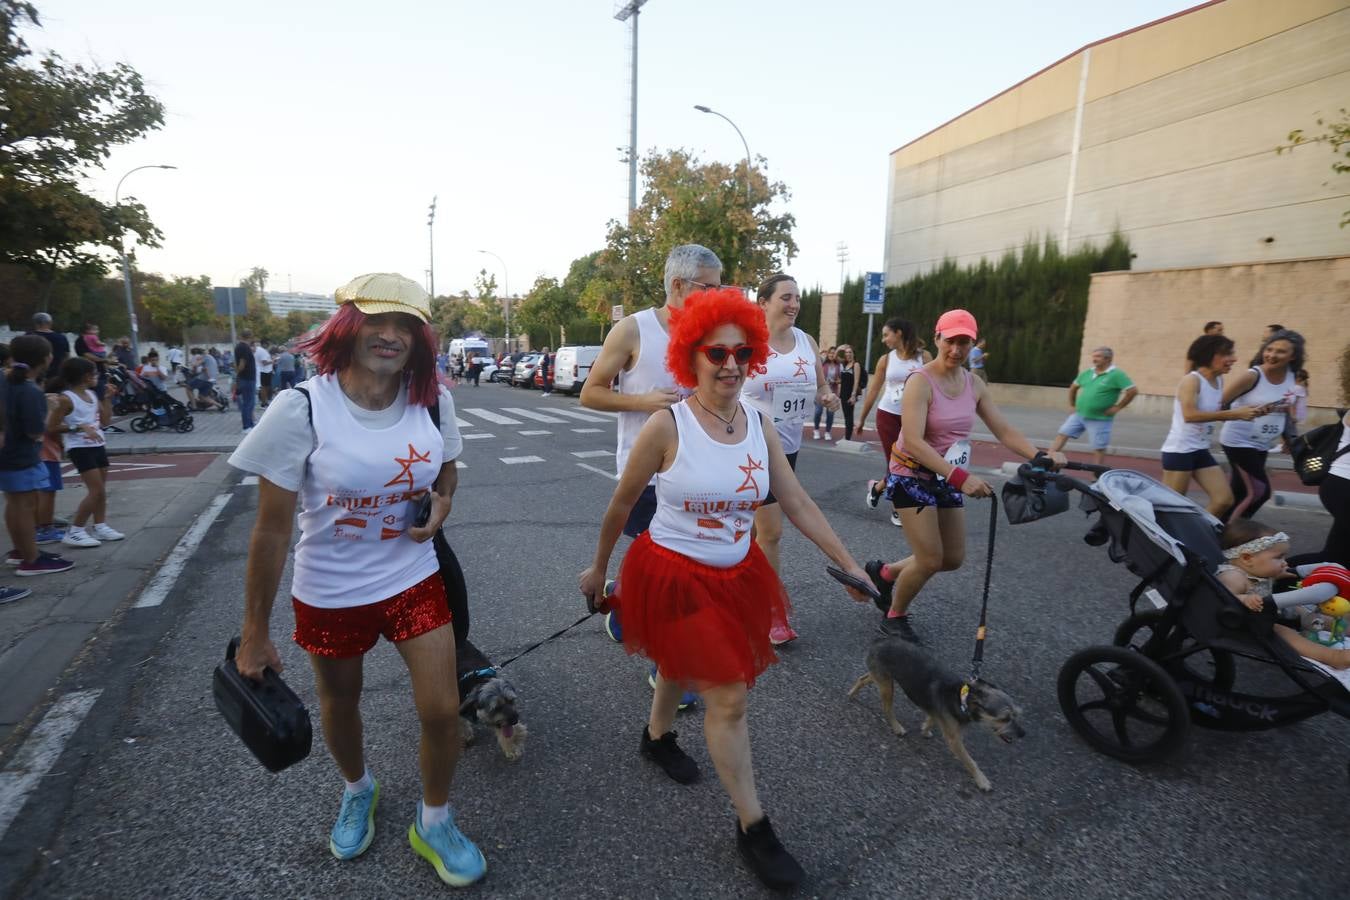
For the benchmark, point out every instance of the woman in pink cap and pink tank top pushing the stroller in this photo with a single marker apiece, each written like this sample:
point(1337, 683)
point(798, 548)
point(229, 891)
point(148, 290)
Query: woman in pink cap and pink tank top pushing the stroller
point(928, 468)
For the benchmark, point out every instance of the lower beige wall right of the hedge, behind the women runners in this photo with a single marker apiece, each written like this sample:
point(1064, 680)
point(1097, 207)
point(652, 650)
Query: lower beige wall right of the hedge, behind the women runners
point(1151, 318)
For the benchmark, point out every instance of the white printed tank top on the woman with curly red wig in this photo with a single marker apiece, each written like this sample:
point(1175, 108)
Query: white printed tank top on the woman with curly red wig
point(707, 501)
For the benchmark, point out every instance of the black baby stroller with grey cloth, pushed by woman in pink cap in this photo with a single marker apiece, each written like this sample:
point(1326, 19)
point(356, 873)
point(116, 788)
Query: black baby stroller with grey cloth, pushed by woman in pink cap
point(1172, 663)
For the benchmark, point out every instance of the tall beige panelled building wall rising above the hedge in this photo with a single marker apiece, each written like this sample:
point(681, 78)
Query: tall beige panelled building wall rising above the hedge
point(1177, 148)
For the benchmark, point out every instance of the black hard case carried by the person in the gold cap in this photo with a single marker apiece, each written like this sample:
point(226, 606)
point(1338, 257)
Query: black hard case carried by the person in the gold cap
point(268, 717)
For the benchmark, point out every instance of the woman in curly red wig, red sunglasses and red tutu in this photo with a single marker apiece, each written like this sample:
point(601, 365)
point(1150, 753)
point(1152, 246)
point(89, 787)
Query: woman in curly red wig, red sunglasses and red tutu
point(699, 597)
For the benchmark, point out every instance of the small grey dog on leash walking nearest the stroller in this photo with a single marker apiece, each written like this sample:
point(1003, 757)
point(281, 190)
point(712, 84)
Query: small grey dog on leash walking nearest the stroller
point(950, 701)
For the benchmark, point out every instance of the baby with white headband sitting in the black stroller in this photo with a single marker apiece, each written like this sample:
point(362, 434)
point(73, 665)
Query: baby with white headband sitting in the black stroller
point(1255, 562)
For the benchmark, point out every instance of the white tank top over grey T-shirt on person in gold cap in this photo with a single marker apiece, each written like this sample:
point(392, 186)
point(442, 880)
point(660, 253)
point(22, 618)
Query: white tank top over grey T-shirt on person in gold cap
point(357, 501)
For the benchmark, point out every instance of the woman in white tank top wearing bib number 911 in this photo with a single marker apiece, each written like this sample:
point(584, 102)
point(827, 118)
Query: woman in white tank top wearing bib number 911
point(786, 388)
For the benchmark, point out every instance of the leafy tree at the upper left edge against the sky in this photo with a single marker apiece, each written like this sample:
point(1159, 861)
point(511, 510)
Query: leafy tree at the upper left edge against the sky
point(59, 122)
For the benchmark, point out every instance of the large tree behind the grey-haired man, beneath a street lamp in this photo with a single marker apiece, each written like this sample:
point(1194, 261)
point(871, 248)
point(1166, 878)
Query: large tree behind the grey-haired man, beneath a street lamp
point(728, 210)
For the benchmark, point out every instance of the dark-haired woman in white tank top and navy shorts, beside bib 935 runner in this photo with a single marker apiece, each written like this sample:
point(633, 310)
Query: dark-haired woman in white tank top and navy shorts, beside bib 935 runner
point(1198, 407)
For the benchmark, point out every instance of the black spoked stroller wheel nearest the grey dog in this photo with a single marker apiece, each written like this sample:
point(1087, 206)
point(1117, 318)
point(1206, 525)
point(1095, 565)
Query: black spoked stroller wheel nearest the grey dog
point(1124, 705)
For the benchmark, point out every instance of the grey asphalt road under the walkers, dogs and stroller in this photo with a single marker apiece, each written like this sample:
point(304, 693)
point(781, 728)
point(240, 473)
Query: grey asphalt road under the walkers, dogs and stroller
point(155, 797)
